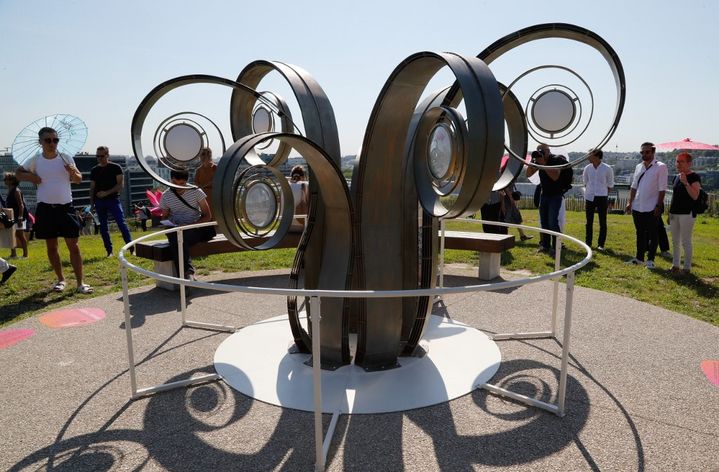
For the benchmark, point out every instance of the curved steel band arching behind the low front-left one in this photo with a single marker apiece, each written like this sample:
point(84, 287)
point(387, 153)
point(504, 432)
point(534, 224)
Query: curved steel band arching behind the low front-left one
point(320, 126)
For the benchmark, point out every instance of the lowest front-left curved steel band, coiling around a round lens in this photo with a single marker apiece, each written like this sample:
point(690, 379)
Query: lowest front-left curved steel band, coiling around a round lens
point(334, 263)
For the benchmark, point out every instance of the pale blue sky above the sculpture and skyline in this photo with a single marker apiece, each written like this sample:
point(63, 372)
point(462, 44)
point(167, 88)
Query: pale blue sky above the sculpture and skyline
point(98, 59)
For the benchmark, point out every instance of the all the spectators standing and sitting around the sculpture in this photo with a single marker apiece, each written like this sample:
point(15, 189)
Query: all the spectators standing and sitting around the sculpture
point(55, 217)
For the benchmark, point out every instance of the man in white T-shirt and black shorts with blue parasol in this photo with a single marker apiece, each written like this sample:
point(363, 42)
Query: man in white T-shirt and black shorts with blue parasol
point(55, 217)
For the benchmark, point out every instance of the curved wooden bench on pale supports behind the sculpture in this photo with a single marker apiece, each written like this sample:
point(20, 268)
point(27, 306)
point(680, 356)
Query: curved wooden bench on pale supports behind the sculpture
point(489, 245)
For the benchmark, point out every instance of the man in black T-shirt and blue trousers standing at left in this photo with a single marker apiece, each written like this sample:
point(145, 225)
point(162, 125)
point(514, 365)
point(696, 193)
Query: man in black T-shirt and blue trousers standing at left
point(106, 182)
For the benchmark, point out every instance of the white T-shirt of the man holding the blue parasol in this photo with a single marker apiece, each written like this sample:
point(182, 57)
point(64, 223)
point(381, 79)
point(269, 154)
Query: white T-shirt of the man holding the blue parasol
point(55, 185)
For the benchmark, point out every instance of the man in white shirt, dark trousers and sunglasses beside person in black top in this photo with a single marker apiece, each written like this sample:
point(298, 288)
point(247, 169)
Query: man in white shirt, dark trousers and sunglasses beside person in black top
point(646, 204)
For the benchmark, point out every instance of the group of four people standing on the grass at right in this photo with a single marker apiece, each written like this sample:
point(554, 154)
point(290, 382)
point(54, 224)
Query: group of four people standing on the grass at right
point(646, 203)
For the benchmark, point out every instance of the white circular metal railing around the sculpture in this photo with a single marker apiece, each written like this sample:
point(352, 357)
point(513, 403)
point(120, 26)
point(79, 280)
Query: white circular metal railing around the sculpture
point(315, 296)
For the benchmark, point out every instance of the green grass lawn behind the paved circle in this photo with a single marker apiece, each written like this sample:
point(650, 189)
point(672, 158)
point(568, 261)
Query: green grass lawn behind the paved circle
point(28, 291)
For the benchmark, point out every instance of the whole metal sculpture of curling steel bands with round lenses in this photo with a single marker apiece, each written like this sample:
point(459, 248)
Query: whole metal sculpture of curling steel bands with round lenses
point(422, 160)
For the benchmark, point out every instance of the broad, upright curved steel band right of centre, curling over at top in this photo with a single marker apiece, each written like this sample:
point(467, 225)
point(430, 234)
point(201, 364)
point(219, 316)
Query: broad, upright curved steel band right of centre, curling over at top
point(387, 223)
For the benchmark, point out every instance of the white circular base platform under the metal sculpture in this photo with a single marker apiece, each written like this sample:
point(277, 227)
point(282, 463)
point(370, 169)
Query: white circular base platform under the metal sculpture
point(256, 362)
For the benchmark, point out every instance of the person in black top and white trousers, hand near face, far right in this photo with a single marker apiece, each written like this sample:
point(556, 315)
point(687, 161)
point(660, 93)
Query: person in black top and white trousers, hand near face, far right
point(686, 187)
